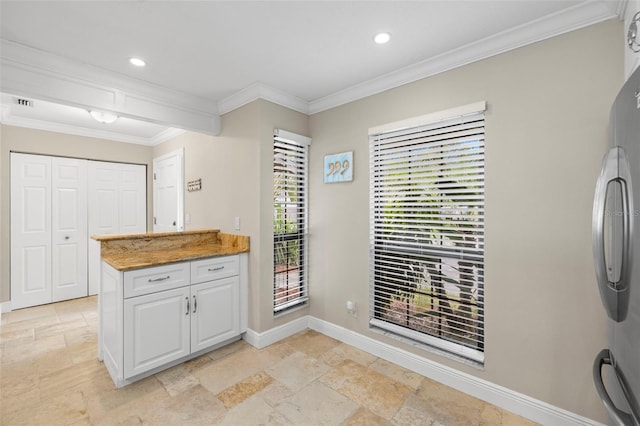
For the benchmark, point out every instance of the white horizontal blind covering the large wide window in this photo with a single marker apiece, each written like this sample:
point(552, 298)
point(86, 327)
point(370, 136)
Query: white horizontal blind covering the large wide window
point(427, 233)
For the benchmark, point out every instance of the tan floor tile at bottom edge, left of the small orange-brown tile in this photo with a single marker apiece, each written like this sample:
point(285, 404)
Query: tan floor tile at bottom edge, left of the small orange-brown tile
point(195, 406)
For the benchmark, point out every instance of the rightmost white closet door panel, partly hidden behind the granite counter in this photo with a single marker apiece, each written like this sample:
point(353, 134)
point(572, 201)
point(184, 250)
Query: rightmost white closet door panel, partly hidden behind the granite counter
point(133, 198)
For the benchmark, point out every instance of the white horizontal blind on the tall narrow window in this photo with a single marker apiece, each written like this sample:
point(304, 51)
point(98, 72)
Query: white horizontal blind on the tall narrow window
point(290, 204)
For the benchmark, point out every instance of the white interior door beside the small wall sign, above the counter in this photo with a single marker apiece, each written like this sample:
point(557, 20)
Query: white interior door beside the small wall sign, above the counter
point(168, 192)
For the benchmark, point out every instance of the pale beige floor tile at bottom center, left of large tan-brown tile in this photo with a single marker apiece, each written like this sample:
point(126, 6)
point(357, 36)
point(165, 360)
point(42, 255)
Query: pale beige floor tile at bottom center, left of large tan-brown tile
point(317, 404)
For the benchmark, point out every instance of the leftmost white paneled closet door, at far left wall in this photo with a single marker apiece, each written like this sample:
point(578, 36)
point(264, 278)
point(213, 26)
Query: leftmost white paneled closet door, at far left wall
point(30, 230)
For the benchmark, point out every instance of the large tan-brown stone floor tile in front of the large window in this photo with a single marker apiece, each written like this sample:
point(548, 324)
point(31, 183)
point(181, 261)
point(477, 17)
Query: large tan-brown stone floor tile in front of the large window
point(375, 391)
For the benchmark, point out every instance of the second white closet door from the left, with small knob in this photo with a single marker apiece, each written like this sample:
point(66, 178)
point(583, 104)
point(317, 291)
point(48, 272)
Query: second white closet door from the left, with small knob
point(69, 228)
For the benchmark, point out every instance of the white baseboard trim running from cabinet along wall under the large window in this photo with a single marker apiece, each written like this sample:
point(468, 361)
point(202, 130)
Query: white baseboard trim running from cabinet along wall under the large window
point(515, 402)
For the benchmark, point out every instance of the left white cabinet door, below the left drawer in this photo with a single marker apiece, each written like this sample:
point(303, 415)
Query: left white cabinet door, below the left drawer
point(156, 330)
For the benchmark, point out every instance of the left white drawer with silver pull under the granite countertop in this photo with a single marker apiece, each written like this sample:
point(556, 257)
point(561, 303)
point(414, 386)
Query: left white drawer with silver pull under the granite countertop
point(157, 278)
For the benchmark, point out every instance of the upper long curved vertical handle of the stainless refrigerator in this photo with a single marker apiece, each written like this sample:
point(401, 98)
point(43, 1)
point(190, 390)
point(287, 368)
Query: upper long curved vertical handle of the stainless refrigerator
point(613, 286)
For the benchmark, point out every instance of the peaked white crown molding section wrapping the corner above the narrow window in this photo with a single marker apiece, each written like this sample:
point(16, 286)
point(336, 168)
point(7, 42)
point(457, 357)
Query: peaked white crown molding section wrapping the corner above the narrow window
point(260, 90)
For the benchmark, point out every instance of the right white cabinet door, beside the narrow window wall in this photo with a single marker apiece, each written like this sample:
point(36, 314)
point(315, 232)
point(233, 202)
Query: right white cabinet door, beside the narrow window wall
point(215, 307)
